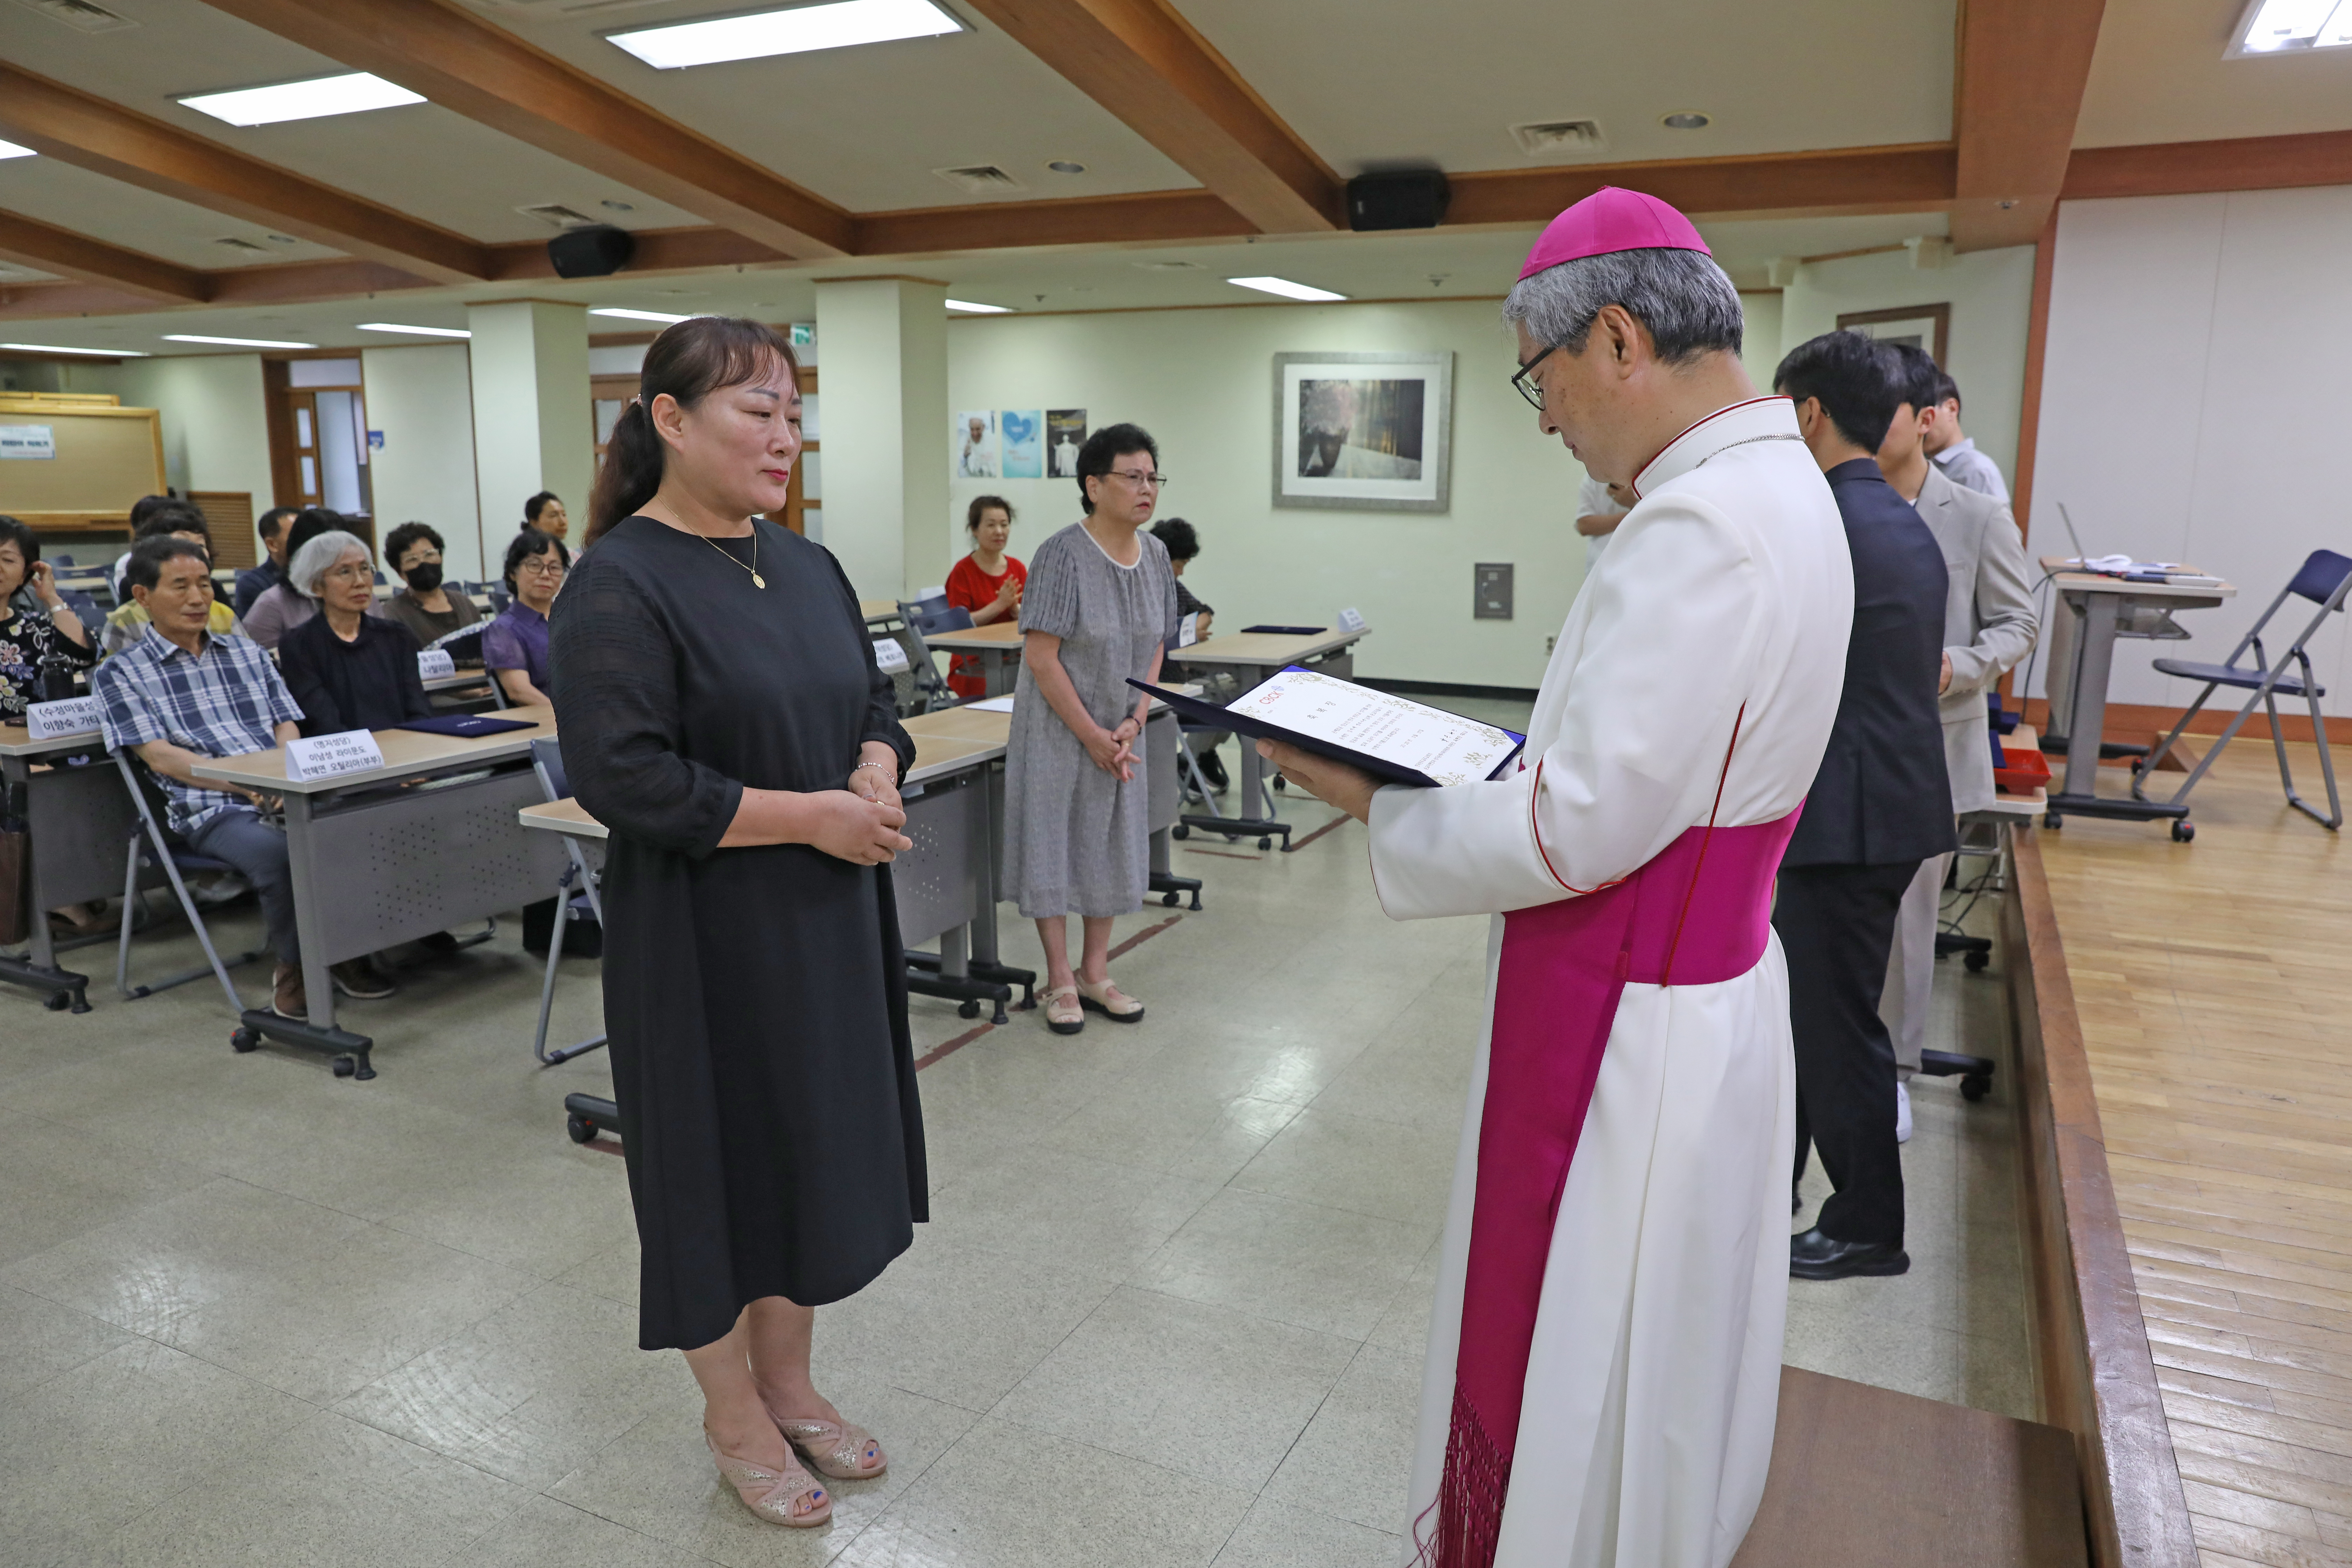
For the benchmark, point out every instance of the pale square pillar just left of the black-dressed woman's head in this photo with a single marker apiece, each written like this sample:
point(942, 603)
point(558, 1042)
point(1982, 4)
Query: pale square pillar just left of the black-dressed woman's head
point(533, 420)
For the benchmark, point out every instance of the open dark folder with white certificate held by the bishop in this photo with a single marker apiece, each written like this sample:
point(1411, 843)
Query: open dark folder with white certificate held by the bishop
point(1389, 737)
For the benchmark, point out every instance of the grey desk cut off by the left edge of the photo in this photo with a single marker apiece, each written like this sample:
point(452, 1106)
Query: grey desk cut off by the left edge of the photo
point(81, 829)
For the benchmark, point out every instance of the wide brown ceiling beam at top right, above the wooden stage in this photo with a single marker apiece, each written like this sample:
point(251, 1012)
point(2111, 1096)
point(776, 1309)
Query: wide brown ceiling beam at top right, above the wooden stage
point(2017, 95)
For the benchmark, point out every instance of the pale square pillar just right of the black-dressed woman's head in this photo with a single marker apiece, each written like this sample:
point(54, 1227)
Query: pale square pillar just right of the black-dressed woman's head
point(886, 434)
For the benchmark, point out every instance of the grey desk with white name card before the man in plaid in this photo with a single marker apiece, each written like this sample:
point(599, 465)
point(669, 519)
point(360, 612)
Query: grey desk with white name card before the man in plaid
point(394, 855)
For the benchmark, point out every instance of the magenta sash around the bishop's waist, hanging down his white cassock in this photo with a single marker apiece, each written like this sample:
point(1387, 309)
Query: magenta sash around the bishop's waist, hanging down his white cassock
point(1695, 916)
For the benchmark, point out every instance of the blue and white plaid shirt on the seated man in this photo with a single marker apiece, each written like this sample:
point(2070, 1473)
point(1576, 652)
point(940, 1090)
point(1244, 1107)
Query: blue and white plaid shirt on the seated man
point(220, 706)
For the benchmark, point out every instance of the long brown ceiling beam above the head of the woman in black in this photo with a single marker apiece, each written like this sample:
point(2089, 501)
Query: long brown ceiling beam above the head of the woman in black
point(490, 76)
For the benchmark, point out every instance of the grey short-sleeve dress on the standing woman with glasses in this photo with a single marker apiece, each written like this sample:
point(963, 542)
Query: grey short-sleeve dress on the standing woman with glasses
point(1076, 838)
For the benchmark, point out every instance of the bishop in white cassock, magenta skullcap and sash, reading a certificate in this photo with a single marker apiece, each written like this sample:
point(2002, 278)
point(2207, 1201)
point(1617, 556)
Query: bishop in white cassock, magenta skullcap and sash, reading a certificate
point(1605, 1353)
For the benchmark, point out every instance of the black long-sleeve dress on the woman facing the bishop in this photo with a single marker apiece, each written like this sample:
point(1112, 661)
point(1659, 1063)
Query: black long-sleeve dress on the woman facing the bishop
point(754, 998)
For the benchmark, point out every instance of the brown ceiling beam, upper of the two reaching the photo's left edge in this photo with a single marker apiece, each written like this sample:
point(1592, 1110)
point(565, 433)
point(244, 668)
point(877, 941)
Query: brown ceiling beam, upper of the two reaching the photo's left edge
point(91, 133)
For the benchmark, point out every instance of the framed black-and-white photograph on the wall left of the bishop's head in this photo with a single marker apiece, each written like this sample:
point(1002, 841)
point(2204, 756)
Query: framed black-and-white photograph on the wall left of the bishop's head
point(1365, 434)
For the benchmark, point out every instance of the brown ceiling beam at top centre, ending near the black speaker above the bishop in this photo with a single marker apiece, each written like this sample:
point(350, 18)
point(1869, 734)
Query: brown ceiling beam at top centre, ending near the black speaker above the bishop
point(1151, 69)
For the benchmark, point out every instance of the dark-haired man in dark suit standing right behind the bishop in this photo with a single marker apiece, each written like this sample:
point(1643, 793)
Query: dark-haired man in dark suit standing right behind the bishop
point(1878, 810)
